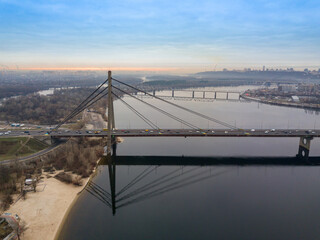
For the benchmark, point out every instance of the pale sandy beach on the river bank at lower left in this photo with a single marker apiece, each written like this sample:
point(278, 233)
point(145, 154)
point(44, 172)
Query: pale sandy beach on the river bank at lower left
point(44, 210)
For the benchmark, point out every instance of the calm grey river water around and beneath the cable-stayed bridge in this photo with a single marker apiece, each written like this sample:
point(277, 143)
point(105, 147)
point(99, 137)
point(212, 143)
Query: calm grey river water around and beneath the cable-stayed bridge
point(202, 202)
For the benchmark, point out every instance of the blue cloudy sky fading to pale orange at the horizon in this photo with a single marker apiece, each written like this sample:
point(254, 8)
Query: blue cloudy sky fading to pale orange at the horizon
point(162, 35)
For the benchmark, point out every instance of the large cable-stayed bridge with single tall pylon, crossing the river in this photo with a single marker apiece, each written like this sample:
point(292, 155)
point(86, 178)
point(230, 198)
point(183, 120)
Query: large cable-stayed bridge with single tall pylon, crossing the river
point(119, 89)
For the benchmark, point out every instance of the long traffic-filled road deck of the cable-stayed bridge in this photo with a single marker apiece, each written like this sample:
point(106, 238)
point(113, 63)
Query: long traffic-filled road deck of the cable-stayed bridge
point(168, 133)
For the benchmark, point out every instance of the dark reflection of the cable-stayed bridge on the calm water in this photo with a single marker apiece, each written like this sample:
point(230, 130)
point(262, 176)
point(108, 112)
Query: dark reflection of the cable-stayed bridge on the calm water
point(177, 178)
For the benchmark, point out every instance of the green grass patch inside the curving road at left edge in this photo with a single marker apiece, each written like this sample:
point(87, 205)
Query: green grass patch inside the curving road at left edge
point(19, 147)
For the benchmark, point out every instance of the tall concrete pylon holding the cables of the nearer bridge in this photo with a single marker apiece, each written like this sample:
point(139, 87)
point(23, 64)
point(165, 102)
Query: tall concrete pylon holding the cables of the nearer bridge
point(111, 122)
